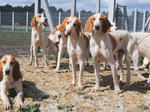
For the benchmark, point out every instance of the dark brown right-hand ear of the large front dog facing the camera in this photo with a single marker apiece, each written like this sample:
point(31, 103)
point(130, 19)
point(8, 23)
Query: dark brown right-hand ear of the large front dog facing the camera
point(105, 25)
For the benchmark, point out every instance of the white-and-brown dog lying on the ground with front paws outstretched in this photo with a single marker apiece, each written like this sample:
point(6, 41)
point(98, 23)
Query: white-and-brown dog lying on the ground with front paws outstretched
point(10, 77)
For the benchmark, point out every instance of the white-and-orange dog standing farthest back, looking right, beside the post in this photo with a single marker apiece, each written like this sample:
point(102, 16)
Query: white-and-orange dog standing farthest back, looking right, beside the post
point(38, 38)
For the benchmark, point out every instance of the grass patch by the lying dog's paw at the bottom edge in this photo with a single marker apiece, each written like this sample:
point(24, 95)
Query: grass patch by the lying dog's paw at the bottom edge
point(30, 108)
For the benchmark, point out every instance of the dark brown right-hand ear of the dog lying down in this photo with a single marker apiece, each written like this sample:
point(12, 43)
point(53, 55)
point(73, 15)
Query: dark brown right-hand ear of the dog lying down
point(16, 71)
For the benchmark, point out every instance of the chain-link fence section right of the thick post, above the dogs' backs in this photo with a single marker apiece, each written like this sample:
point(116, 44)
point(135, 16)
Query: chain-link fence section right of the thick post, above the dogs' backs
point(134, 22)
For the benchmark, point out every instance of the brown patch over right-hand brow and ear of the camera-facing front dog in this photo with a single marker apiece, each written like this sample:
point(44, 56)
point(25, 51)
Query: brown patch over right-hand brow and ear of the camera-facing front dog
point(105, 23)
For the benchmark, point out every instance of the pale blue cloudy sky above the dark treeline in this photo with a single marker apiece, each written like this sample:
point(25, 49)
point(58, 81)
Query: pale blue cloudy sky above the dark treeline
point(84, 4)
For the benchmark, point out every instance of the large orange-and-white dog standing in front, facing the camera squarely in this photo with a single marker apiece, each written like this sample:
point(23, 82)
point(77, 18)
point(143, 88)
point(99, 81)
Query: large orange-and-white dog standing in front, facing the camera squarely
point(103, 46)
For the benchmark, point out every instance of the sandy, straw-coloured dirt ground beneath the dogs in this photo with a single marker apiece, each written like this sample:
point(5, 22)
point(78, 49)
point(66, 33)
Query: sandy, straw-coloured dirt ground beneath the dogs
point(55, 94)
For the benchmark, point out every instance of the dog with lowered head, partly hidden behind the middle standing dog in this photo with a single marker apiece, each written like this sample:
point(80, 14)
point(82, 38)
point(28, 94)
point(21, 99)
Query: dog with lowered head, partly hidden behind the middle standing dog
point(58, 40)
